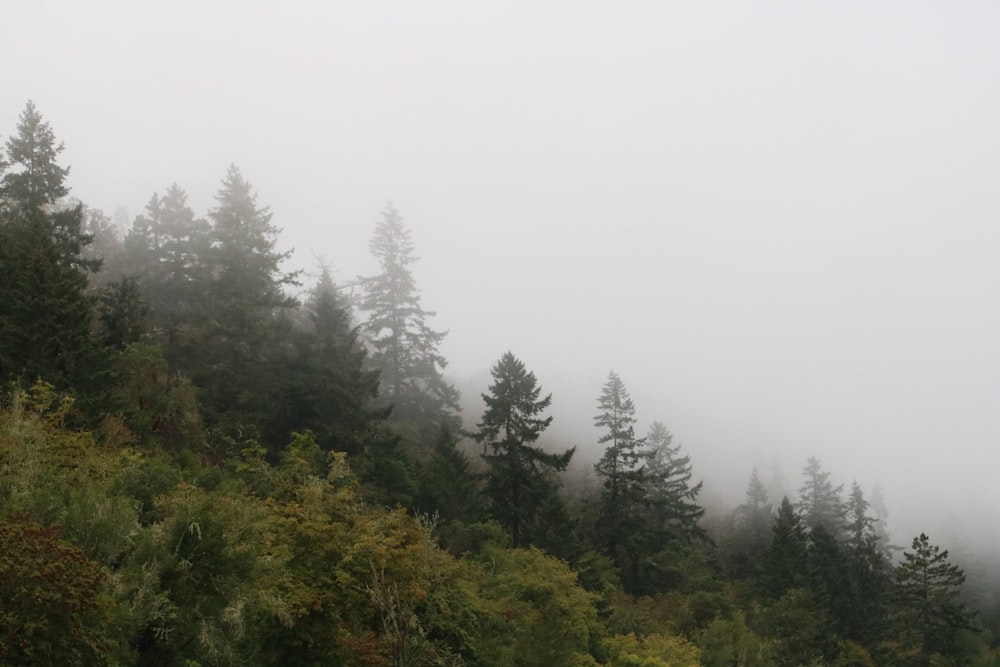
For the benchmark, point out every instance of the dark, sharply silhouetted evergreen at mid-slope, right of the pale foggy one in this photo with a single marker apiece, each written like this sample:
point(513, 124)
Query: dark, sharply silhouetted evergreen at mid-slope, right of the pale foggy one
point(520, 481)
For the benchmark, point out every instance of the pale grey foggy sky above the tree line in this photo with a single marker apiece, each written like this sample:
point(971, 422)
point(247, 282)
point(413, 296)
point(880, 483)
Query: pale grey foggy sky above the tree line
point(776, 221)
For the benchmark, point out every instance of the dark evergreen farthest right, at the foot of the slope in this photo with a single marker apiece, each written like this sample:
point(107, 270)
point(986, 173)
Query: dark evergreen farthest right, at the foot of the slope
point(928, 614)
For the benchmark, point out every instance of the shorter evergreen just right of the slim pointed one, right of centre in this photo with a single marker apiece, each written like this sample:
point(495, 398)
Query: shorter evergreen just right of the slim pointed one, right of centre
point(675, 511)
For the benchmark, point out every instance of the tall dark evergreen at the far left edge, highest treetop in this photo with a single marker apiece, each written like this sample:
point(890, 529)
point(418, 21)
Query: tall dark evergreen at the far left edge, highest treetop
point(46, 319)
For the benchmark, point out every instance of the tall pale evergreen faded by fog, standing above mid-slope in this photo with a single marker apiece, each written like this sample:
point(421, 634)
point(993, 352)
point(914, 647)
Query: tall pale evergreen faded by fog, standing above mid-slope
point(404, 347)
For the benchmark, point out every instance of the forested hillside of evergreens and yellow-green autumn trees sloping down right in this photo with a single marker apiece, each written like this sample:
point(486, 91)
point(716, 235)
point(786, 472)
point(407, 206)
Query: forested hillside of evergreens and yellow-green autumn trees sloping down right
point(208, 460)
